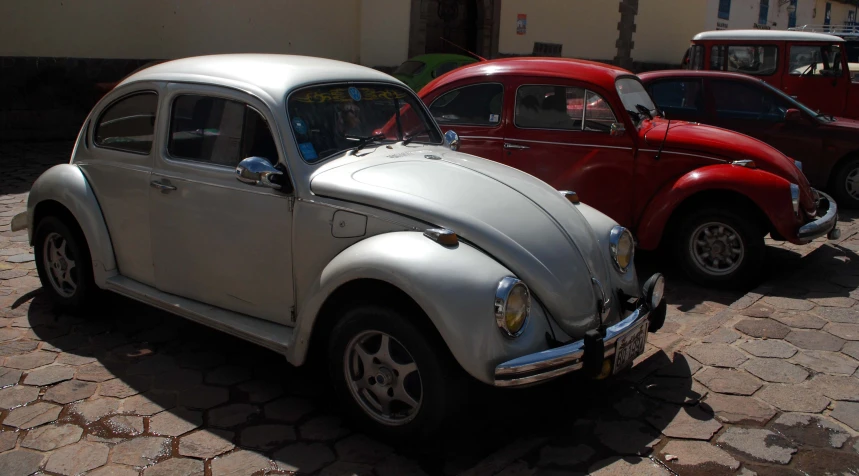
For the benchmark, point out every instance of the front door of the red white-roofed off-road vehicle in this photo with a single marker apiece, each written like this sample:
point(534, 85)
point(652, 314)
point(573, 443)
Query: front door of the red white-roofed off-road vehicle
point(816, 76)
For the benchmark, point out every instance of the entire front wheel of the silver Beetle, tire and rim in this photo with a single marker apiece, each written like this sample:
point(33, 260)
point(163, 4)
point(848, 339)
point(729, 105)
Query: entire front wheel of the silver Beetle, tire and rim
point(388, 373)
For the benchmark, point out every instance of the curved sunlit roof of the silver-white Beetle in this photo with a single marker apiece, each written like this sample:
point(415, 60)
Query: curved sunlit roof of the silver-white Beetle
point(274, 74)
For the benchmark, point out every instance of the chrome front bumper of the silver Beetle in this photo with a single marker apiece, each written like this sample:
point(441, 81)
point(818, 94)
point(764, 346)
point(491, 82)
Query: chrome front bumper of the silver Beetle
point(552, 363)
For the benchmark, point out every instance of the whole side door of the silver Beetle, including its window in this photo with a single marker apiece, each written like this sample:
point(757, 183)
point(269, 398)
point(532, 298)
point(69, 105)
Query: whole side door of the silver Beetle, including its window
point(215, 239)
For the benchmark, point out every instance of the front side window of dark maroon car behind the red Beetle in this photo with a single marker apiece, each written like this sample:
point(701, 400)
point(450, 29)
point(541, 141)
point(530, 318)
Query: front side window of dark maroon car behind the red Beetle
point(735, 100)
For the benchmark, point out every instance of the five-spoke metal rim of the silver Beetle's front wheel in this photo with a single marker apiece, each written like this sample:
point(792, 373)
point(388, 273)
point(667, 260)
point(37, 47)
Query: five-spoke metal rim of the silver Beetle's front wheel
point(383, 378)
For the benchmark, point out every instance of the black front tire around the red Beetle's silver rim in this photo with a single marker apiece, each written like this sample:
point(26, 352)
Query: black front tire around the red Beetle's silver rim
point(745, 272)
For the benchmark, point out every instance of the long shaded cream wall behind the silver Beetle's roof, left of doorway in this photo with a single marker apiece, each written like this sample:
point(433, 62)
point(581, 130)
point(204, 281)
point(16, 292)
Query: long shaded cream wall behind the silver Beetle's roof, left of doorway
point(174, 28)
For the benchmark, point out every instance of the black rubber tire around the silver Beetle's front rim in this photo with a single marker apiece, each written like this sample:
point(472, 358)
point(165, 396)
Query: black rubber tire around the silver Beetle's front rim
point(438, 377)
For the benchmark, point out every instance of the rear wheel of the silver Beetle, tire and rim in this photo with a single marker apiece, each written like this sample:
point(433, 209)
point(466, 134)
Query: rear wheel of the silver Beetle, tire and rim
point(64, 264)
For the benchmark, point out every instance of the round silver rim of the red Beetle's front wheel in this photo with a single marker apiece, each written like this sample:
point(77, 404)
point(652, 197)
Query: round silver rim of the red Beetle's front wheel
point(716, 248)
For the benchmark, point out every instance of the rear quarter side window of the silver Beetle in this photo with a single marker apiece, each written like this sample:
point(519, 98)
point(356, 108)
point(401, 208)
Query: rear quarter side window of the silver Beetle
point(128, 124)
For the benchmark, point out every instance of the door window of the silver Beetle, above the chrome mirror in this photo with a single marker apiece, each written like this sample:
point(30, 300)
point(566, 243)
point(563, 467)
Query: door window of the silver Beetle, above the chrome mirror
point(218, 131)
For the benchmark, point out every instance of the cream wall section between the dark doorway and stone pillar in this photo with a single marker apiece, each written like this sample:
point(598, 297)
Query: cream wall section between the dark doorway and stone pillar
point(586, 28)
